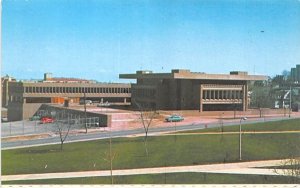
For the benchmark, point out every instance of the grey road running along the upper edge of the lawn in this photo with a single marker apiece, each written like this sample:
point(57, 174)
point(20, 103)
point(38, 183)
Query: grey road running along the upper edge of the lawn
point(124, 133)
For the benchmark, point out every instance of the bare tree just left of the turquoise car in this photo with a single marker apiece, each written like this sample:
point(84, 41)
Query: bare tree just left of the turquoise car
point(146, 118)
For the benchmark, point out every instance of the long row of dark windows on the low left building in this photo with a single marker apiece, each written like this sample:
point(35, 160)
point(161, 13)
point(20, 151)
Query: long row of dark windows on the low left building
point(75, 90)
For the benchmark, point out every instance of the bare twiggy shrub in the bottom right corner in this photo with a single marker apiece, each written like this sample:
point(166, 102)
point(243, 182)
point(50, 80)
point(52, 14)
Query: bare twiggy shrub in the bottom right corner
point(290, 167)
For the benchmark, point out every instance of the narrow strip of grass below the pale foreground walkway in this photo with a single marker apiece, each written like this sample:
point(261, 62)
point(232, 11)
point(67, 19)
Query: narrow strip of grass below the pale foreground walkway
point(171, 178)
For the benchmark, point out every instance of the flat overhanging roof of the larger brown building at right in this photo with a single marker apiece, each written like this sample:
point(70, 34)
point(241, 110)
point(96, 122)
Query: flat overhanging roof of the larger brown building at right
point(186, 74)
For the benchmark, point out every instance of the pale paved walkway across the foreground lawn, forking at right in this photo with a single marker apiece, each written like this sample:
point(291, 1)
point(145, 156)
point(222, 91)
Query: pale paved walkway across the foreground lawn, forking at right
point(227, 168)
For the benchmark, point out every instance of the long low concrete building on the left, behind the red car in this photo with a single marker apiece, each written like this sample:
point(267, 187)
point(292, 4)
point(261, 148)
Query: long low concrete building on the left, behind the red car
point(25, 97)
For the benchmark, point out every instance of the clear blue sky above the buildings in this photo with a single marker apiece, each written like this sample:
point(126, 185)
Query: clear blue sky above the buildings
point(98, 39)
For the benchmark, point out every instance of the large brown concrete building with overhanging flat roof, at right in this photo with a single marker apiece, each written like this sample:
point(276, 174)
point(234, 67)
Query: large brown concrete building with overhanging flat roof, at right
point(185, 90)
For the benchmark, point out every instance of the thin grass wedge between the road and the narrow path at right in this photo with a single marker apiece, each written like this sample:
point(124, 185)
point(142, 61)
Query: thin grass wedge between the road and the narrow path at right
point(284, 125)
